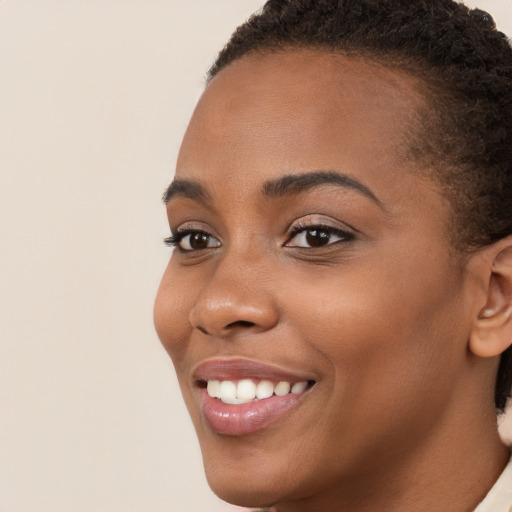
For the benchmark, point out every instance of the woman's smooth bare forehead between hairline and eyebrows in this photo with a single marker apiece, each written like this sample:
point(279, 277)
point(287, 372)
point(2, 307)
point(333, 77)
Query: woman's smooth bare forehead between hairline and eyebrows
point(295, 111)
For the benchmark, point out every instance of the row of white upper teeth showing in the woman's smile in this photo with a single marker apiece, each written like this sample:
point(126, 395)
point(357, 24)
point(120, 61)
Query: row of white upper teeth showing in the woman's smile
point(245, 390)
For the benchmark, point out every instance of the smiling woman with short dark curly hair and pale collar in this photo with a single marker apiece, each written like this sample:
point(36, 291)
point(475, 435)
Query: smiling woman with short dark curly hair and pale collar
point(339, 304)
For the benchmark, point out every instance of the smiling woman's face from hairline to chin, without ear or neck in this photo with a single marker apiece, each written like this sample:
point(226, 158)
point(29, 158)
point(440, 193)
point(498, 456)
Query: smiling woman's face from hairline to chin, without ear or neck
point(311, 252)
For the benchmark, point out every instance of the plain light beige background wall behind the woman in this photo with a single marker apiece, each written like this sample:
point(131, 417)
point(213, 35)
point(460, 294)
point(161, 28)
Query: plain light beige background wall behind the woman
point(94, 98)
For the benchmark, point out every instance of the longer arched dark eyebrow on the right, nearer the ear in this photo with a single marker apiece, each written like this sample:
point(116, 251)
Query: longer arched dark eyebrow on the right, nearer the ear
point(297, 183)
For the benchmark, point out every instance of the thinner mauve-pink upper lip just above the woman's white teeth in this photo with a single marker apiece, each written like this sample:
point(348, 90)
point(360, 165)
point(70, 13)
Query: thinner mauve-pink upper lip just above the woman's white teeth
point(239, 368)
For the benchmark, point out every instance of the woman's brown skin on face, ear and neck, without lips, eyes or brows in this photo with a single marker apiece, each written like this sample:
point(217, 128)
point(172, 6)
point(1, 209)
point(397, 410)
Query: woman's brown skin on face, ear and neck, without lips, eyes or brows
point(401, 417)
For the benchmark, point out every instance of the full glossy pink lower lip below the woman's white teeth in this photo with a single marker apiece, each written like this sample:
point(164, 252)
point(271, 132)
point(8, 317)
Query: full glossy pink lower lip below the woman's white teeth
point(242, 419)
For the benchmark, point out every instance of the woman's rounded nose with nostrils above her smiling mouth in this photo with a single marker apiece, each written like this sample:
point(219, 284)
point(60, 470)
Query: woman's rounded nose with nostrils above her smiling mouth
point(237, 300)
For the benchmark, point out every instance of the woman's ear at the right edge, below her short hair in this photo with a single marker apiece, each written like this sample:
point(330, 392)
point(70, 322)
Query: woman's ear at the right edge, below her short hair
point(492, 332)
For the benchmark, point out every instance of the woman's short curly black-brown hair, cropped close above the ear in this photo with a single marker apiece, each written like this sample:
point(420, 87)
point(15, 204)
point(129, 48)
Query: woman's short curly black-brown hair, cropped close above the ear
point(465, 65)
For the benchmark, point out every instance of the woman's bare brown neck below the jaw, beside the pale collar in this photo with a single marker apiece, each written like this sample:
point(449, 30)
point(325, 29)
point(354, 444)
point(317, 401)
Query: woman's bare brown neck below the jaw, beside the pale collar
point(451, 470)
